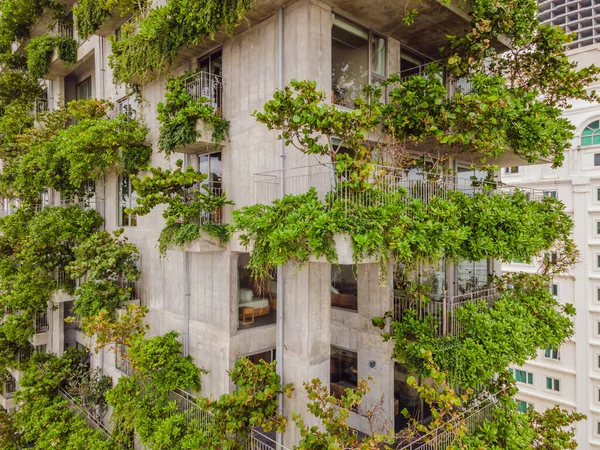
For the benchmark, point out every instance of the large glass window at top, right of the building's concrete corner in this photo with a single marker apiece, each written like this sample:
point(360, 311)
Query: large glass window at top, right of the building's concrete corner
point(358, 58)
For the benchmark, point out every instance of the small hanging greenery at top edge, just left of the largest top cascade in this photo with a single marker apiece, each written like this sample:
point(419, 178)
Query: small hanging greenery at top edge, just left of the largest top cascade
point(91, 14)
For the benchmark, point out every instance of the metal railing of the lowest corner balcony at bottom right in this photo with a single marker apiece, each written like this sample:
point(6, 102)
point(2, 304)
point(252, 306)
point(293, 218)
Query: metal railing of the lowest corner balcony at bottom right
point(445, 435)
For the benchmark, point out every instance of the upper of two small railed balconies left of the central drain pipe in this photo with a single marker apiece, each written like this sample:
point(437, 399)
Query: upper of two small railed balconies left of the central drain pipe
point(208, 86)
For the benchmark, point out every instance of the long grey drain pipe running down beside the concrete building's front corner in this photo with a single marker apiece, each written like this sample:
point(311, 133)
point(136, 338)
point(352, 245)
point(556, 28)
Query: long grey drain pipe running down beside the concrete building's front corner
point(280, 284)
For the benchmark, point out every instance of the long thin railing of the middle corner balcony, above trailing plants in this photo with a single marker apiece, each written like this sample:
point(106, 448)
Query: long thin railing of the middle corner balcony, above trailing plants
point(330, 185)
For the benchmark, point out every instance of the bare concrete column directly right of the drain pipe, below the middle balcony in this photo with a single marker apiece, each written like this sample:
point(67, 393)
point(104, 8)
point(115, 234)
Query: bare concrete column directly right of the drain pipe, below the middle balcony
point(307, 337)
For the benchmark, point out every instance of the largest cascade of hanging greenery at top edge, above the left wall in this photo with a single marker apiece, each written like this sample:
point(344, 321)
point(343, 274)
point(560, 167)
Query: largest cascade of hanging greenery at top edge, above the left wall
point(153, 44)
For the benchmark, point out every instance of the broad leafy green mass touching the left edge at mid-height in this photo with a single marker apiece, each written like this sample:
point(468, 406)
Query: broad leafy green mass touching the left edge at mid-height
point(34, 245)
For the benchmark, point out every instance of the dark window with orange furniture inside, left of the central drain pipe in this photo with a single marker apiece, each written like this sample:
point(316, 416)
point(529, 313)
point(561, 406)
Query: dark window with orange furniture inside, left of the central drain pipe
point(257, 299)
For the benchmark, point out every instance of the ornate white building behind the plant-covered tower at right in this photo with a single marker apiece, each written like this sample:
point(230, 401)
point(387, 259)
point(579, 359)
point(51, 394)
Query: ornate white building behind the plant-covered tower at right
point(570, 376)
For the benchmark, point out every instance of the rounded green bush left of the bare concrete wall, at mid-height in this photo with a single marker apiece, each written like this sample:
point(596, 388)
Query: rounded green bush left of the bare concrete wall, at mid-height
point(107, 265)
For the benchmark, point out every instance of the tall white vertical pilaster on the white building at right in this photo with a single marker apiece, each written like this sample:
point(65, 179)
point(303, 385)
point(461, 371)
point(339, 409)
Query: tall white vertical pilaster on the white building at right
point(581, 200)
